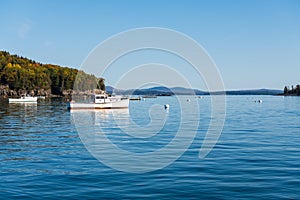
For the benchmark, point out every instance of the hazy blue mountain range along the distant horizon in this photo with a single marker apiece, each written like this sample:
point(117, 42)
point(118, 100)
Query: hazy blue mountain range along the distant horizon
point(160, 90)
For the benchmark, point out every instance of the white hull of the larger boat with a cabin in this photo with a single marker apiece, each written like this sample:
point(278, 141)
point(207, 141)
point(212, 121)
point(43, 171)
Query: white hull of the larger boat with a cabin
point(124, 103)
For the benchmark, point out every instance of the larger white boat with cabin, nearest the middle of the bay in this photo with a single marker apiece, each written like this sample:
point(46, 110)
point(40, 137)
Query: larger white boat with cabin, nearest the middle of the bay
point(101, 101)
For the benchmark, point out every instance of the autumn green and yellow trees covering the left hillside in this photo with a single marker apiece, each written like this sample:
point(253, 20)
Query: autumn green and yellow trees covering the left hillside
point(21, 73)
